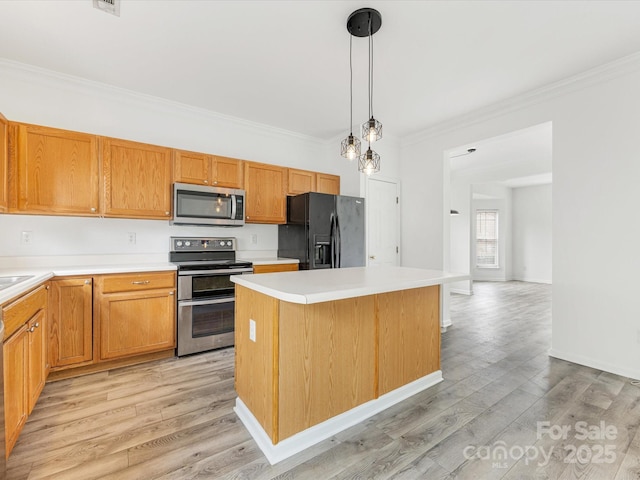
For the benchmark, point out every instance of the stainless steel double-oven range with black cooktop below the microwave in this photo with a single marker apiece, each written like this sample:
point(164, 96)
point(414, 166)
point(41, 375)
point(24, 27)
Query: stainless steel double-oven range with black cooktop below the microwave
point(205, 291)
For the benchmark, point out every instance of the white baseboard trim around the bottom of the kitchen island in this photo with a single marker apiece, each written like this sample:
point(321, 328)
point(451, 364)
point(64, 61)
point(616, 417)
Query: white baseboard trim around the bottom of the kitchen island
point(309, 437)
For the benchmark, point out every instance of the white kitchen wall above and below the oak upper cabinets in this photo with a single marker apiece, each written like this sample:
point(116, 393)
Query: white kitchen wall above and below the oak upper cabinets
point(42, 97)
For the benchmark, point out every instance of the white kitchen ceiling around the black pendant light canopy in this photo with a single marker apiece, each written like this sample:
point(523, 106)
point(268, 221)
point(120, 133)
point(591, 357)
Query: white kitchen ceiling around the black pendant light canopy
point(285, 63)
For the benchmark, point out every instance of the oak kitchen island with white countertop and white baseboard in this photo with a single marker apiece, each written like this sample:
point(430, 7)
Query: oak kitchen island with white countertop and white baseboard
point(318, 351)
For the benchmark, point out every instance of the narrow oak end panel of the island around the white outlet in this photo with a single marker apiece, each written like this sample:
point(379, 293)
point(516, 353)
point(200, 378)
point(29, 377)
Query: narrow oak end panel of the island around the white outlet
point(256, 373)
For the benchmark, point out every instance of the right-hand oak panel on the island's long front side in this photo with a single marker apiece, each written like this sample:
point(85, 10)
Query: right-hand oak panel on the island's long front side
point(409, 323)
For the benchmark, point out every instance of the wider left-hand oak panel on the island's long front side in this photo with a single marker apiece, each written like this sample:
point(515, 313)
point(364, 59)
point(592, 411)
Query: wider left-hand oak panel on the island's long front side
point(328, 362)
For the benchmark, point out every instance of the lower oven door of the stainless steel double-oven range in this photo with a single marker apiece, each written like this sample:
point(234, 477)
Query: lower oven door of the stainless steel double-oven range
point(205, 324)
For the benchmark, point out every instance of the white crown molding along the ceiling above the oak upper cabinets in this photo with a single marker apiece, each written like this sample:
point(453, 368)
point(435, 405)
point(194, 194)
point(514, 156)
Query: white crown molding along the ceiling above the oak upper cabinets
point(70, 82)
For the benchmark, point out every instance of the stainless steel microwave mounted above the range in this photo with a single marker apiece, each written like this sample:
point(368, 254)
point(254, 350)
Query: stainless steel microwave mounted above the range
point(202, 205)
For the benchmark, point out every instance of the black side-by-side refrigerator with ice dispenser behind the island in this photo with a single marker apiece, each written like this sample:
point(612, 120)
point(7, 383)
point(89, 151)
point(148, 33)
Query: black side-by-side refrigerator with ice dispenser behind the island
point(323, 231)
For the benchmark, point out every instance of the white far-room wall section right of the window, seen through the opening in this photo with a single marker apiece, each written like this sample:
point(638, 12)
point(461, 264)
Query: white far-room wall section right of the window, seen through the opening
point(531, 233)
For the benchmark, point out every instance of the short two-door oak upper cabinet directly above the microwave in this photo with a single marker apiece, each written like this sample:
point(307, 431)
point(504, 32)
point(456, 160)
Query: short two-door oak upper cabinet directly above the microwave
point(203, 169)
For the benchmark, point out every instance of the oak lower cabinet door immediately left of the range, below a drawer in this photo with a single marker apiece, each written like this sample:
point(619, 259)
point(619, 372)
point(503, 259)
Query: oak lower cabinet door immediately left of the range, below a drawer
point(132, 323)
